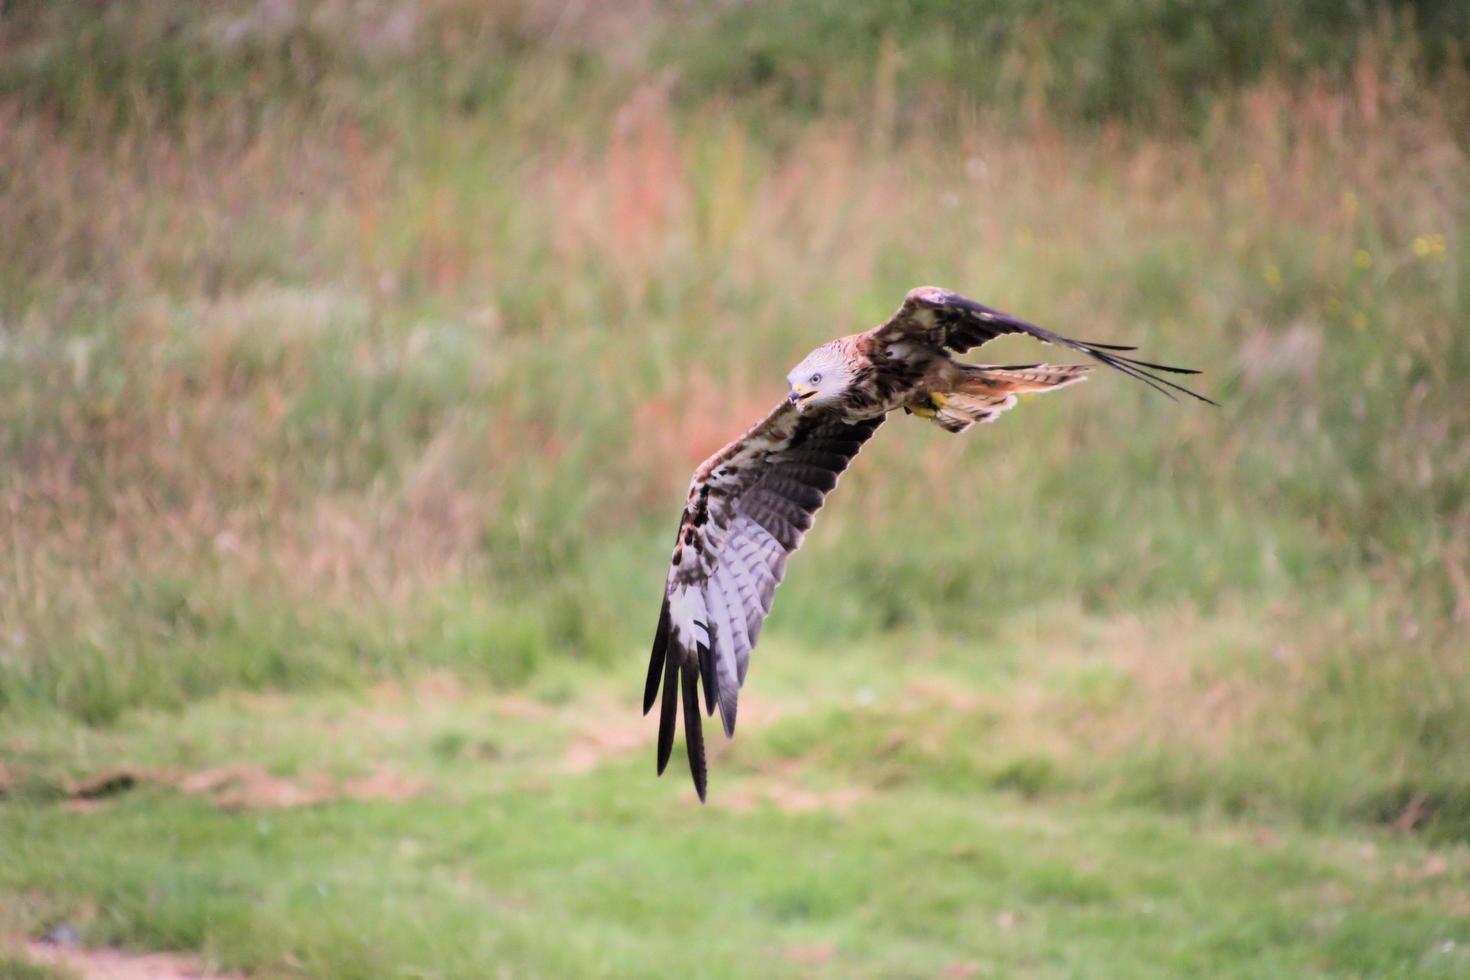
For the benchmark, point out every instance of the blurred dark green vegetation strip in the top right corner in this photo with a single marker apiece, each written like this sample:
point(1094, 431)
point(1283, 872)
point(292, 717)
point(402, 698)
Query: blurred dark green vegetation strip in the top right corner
point(1161, 64)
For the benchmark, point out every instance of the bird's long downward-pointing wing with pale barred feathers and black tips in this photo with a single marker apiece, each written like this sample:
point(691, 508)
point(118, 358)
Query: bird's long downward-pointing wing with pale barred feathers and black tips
point(749, 508)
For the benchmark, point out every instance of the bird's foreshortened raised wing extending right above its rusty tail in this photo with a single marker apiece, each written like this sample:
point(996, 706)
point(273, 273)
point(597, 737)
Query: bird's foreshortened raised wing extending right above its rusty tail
point(949, 320)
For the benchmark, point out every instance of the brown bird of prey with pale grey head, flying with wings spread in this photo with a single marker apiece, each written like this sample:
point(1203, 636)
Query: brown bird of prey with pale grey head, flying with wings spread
point(752, 503)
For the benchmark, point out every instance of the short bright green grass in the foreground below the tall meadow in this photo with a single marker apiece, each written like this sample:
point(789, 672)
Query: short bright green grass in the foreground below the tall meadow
point(512, 862)
